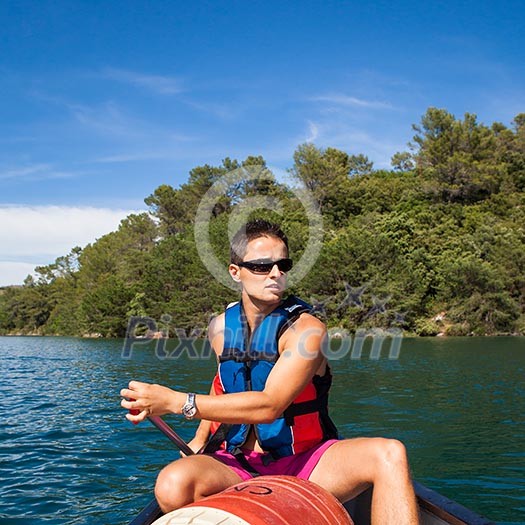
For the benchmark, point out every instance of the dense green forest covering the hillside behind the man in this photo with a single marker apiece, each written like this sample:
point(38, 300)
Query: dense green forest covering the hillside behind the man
point(436, 245)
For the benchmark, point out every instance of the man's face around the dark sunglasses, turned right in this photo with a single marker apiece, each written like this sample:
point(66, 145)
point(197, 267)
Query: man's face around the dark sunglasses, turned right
point(262, 287)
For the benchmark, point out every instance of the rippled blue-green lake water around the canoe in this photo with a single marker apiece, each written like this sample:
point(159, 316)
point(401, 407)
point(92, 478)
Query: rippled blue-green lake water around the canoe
point(68, 455)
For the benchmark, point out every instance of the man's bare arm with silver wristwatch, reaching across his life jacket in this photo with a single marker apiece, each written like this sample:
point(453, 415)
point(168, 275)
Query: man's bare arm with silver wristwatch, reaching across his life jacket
point(301, 356)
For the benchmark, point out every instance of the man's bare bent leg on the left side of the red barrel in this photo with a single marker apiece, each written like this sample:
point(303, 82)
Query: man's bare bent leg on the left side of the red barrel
point(190, 479)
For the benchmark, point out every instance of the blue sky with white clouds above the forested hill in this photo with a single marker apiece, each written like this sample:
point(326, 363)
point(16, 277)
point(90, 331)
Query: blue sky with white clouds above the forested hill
point(102, 101)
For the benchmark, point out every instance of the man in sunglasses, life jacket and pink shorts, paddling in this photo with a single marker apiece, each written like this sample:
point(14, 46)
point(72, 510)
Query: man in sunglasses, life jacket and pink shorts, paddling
point(271, 391)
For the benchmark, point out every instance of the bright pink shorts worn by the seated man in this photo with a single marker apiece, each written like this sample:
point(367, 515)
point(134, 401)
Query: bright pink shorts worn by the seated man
point(299, 465)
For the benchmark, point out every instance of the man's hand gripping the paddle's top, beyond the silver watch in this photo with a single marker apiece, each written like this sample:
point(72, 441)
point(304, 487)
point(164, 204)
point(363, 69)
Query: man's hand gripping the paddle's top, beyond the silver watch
point(150, 400)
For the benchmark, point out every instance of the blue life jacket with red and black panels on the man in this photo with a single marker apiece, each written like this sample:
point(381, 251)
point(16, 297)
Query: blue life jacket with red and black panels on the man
point(244, 365)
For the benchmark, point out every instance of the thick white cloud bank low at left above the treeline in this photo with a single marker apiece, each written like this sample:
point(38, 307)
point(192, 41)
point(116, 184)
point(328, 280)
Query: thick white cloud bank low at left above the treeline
point(32, 236)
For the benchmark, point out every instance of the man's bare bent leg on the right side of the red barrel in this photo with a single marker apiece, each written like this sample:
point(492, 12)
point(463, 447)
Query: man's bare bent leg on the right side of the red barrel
point(352, 465)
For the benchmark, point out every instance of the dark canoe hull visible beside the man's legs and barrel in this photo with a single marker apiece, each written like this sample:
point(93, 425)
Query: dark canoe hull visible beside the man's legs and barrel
point(434, 509)
